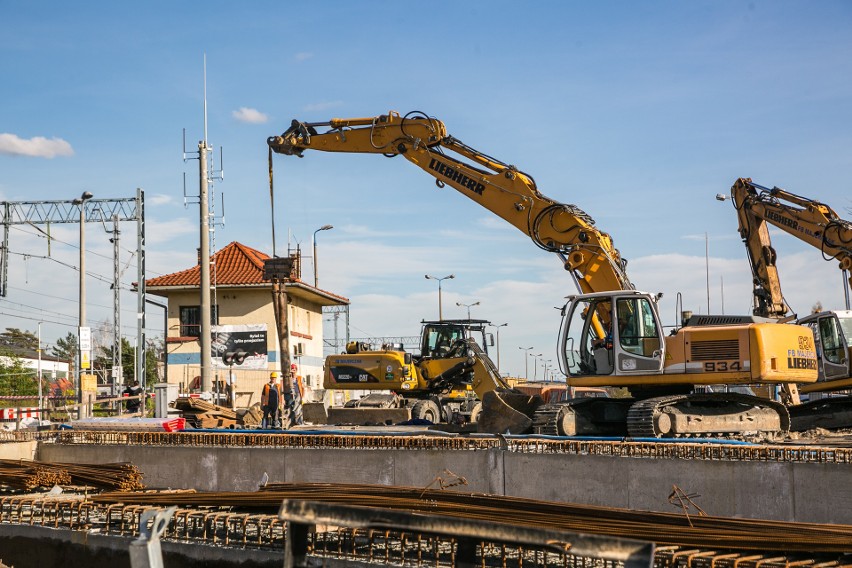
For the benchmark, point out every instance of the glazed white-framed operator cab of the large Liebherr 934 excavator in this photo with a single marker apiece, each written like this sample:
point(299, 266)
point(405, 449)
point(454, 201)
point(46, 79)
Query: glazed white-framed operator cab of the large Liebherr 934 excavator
point(611, 333)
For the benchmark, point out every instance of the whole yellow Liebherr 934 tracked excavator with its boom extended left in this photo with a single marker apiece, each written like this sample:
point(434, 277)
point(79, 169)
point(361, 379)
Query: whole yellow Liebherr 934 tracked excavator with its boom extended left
point(611, 334)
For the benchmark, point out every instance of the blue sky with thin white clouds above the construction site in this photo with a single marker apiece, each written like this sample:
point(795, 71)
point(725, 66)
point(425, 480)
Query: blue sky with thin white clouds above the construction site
point(639, 113)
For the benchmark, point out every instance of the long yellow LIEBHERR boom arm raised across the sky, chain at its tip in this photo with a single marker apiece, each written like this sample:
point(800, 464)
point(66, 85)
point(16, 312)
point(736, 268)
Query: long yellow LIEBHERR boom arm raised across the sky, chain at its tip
point(504, 190)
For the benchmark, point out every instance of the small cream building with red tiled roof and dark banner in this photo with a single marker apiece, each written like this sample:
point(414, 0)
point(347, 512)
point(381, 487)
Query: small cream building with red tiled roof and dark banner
point(242, 308)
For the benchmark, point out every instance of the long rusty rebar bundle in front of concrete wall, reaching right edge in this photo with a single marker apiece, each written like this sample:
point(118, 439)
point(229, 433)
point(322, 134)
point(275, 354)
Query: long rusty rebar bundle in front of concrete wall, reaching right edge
point(661, 528)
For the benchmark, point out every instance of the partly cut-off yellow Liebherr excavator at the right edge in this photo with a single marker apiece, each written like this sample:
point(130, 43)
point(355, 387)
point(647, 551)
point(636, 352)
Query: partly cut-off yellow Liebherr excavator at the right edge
point(818, 225)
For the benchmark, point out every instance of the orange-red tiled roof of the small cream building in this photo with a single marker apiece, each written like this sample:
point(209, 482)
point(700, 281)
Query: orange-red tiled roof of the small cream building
point(235, 264)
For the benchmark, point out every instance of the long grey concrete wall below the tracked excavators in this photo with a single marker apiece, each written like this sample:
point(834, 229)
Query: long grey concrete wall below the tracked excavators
point(803, 492)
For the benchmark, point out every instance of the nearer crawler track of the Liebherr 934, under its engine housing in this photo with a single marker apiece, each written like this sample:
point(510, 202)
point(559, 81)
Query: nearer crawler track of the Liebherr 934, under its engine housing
point(707, 414)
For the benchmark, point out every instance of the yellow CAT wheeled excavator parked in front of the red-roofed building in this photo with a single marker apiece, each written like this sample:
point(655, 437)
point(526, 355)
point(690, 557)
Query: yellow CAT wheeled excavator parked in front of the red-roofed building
point(440, 384)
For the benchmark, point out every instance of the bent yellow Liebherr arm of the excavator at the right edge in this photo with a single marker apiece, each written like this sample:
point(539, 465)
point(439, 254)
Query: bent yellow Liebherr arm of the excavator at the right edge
point(806, 219)
